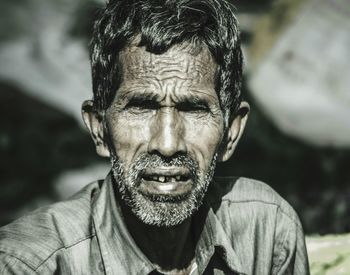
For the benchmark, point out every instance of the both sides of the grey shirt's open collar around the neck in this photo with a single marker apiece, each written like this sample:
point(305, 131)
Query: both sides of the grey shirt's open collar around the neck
point(118, 247)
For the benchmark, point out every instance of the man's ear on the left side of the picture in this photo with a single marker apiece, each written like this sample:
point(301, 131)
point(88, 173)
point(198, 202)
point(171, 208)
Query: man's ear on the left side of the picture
point(94, 124)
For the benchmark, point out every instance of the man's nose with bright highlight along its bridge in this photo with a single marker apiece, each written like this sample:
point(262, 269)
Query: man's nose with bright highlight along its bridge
point(167, 133)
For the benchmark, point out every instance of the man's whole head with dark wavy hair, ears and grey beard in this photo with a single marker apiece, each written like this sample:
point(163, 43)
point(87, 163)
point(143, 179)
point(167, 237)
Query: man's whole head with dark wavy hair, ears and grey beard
point(167, 102)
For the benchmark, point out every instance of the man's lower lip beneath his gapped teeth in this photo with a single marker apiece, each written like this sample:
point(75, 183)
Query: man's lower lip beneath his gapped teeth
point(165, 188)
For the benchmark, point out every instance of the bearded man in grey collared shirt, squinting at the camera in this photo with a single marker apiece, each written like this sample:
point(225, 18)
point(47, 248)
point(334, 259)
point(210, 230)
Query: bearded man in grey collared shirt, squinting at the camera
point(167, 107)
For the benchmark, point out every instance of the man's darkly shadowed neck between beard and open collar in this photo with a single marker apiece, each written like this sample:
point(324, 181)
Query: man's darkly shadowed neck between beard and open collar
point(168, 248)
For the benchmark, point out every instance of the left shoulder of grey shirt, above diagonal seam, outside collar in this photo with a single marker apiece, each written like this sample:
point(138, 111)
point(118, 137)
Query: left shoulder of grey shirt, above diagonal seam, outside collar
point(33, 238)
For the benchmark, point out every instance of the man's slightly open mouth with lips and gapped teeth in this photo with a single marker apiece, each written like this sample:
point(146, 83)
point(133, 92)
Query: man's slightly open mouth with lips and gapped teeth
point(169, 181)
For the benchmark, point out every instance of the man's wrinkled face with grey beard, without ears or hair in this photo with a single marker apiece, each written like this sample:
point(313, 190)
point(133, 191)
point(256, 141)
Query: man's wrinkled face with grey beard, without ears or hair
point(165, 125)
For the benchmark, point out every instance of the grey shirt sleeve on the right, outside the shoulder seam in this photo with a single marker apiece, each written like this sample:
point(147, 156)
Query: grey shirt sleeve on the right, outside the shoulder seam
point(290, 255)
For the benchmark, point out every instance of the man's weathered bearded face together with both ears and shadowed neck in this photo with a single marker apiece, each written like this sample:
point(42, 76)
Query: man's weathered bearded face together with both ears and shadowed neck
point(166, 130)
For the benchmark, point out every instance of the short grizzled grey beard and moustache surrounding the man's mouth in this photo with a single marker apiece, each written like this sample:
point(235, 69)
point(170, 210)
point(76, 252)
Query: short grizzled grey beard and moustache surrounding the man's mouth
point(147, 201)
